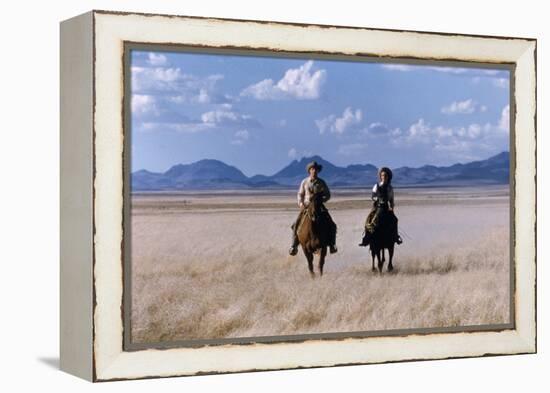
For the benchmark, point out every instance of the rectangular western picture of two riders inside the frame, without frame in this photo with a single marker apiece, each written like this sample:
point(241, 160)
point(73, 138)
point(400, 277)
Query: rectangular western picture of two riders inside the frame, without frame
point(283, 197)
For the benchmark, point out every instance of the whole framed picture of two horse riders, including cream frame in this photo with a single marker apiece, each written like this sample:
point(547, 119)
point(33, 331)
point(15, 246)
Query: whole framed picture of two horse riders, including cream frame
point(245, 195)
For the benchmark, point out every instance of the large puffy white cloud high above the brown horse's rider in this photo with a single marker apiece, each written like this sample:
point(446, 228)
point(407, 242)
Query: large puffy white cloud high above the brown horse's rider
point(297, 83)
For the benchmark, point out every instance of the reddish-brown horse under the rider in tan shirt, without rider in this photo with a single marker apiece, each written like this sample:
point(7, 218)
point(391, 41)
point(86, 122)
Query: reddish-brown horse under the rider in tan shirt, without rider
point(314, 233)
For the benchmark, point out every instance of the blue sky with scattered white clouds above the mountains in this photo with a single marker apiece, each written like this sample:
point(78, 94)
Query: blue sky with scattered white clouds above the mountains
point(260, 113)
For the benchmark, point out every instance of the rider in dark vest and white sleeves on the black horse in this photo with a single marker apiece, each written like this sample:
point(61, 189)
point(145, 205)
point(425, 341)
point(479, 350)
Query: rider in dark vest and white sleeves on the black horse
point(382, 196)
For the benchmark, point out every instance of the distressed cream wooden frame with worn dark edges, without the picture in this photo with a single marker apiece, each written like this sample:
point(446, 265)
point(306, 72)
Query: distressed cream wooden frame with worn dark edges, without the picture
point(92, 193)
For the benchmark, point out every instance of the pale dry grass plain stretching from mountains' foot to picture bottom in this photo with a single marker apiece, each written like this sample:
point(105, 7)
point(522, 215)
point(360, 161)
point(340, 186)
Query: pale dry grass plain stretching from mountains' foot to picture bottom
point(215, 265)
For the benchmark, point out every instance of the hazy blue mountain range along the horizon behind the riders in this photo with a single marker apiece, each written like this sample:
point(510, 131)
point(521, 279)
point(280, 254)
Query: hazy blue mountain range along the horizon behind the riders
point(216, 175)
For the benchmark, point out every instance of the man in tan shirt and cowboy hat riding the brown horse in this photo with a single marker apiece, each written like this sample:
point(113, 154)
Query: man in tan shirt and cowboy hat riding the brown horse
point(313, 187)
